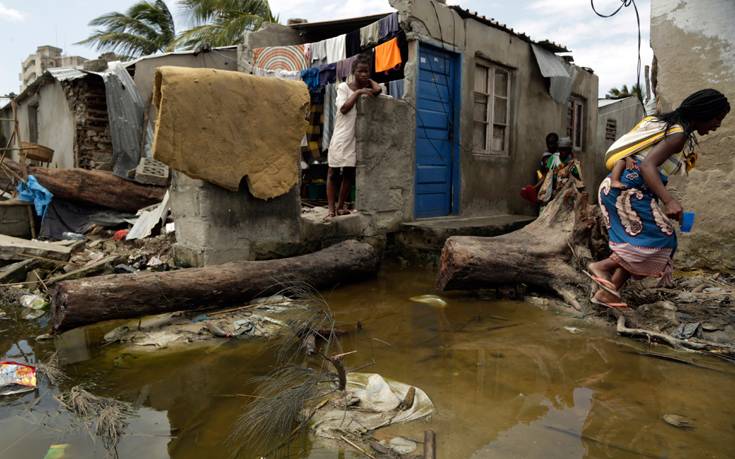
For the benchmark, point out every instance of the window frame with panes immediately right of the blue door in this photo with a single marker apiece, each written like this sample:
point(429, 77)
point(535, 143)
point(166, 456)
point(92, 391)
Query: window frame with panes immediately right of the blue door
point(491, 70)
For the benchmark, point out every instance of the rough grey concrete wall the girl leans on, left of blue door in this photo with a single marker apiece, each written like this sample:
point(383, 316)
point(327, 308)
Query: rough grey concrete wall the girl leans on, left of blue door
point(385, 161)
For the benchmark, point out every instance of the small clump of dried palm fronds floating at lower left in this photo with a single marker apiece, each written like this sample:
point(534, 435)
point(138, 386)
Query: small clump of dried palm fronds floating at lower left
point(101, 416)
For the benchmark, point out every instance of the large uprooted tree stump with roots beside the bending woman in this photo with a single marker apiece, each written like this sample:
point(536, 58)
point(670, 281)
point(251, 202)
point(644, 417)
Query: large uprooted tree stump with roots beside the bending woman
point(545, 255)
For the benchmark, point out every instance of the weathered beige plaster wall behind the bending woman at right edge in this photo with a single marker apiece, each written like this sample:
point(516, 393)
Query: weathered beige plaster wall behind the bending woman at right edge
point(694, 45)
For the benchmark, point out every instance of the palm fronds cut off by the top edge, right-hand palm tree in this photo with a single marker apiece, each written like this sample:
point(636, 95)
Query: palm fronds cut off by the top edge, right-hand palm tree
point(222, 22)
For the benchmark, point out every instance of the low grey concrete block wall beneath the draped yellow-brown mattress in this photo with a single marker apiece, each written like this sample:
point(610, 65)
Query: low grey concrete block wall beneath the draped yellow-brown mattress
point(215, 226)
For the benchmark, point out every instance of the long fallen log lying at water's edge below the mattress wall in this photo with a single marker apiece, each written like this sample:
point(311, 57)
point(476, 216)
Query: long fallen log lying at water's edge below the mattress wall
point(85, 301)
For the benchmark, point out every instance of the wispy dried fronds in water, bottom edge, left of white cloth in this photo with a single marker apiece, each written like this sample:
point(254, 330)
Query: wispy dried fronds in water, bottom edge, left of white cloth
point(273, 418)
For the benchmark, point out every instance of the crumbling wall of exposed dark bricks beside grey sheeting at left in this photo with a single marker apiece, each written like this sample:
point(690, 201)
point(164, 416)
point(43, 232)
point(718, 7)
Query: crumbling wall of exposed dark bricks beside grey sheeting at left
point(93, 144)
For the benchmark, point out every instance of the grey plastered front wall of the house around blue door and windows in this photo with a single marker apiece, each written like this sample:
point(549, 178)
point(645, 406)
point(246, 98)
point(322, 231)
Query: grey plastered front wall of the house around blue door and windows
point(491, 183)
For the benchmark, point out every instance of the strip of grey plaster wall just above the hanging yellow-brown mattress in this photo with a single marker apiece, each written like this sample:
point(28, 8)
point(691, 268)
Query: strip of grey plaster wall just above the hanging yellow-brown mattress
point(145, 69)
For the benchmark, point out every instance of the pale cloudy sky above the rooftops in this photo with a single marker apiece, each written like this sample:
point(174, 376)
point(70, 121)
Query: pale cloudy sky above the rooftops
point(606, 45)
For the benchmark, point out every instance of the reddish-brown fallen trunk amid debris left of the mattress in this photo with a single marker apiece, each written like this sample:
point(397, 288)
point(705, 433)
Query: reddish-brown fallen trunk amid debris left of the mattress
point(94, 187)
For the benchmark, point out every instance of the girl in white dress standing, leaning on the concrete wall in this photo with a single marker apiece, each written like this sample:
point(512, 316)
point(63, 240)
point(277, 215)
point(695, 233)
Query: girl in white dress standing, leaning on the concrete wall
point(343, 146)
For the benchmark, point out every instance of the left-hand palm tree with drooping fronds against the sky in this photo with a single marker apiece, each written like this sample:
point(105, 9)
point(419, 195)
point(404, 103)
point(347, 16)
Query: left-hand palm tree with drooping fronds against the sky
point(146, 27)
